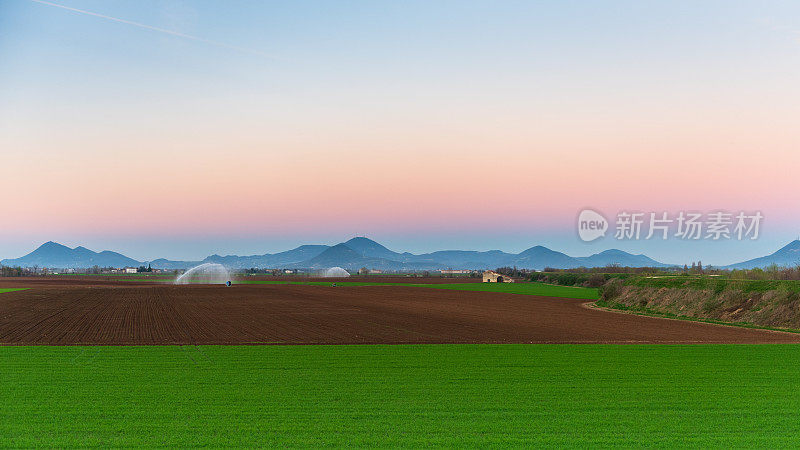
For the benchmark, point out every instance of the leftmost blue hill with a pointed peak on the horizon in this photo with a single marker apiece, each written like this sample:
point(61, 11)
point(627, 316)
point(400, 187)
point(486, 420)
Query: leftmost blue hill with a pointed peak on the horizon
point(52, 254)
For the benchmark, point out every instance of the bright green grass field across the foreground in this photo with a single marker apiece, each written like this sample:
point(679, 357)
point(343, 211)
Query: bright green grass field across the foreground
point(456, 395)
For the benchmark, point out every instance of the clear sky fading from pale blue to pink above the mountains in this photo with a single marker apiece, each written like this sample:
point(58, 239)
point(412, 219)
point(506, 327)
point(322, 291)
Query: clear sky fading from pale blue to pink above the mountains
point(178, 129)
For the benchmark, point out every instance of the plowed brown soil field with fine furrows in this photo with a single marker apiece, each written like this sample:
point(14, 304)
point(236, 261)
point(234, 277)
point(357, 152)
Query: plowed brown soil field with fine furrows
point(141, 313)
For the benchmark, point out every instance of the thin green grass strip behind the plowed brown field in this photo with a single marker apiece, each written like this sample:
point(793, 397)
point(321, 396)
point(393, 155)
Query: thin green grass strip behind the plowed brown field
point(509, 288)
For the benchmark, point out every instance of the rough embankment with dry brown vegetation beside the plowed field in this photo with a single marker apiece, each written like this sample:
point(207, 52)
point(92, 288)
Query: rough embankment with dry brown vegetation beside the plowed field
point(774, 308)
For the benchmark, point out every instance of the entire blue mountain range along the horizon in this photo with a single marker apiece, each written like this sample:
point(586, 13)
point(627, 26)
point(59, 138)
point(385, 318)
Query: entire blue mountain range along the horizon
point(362, 252)
